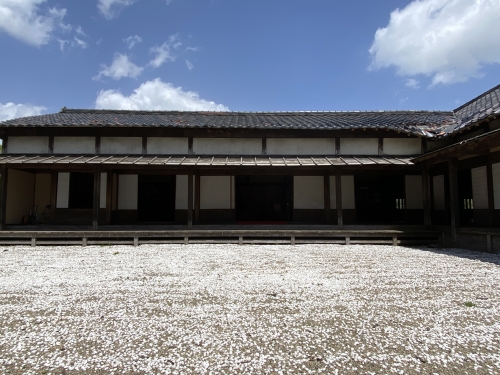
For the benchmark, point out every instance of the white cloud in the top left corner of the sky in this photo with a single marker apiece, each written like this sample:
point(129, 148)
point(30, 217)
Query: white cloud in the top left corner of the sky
point(24, 20)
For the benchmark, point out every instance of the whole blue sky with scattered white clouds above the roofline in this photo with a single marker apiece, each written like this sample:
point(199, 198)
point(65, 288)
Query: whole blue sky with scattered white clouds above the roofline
point(246, 55)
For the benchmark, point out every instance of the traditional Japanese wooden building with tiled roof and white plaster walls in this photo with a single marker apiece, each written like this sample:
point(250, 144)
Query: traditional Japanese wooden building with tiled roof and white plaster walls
point(322, 176)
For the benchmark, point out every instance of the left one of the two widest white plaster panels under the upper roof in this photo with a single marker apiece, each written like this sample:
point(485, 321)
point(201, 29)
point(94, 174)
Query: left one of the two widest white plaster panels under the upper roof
point(227, 146)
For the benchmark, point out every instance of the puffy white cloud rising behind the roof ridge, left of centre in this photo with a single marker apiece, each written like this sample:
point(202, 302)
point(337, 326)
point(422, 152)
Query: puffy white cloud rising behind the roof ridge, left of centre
point(156, 95)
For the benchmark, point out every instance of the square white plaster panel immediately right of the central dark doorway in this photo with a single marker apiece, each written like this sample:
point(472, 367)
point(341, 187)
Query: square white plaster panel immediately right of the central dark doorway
point(308, 192)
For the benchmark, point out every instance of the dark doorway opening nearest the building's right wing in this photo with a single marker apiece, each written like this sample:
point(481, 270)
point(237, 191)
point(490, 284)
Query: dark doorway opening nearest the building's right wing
point(380, 199)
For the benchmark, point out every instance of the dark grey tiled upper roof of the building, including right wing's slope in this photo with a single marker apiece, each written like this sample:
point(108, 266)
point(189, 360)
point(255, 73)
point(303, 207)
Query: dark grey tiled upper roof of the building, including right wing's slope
point(420, 123)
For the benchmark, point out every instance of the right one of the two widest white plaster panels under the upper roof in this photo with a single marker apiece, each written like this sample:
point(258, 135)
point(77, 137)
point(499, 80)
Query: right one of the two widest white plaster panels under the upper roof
point(300, 146)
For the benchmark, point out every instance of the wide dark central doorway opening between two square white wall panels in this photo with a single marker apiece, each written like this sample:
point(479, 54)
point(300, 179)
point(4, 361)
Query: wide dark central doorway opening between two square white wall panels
point(264, 199)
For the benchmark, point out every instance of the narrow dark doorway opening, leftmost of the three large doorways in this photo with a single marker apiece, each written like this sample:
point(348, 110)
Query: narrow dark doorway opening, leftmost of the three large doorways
point(156, 199)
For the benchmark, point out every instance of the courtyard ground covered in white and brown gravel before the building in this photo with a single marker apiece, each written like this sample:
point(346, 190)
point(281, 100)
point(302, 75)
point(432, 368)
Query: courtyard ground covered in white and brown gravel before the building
point(212, 309)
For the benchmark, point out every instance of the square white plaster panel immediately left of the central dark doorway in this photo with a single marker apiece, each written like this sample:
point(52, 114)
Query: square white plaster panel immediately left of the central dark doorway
point(215, 192)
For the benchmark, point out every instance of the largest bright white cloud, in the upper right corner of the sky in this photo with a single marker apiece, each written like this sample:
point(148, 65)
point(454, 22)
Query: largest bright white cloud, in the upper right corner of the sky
point(448, 40)
